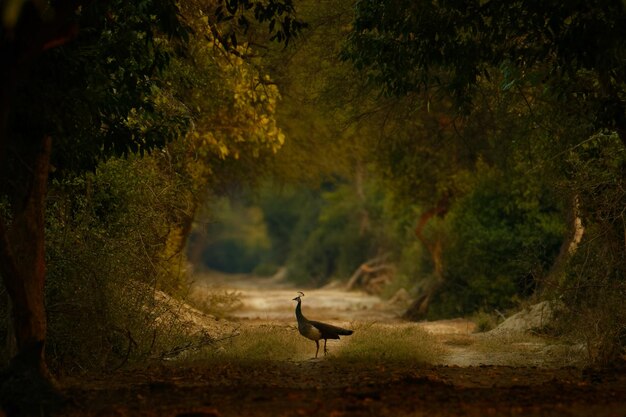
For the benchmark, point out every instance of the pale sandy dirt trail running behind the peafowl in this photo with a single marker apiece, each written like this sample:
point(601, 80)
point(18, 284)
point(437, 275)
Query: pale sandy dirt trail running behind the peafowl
point(269, 301)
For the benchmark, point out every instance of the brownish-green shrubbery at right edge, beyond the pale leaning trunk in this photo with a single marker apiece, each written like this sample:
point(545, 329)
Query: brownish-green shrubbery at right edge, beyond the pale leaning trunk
point(595, 284)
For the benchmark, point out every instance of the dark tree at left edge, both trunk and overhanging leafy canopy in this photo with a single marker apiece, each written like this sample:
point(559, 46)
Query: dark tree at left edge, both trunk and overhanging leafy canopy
point(84, 76)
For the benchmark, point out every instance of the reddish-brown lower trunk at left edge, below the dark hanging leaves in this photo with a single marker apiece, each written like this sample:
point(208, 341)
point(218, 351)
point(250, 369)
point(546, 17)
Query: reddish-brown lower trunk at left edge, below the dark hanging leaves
point(26, 386)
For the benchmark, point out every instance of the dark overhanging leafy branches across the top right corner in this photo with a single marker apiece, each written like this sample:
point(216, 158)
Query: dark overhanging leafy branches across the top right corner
point(573, 50)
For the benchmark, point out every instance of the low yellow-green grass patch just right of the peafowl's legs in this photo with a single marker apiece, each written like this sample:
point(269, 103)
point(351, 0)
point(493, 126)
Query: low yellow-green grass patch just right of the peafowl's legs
point(376, 343)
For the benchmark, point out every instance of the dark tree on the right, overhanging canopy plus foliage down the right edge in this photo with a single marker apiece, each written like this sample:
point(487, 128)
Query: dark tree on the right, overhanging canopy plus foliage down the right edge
point(563, 68)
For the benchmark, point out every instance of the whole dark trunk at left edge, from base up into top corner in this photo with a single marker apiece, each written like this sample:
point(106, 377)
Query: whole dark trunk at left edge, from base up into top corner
point(26, 386)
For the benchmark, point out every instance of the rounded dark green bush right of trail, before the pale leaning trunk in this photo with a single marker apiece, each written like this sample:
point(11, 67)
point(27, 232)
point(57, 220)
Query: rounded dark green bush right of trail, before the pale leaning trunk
point(504, 237)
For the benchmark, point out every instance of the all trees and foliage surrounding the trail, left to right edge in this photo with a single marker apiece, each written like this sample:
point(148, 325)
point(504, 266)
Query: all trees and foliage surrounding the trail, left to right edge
point(473, 155)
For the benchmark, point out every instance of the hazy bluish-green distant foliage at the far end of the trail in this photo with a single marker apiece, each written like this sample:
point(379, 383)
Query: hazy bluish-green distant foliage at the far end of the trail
point(317, 235)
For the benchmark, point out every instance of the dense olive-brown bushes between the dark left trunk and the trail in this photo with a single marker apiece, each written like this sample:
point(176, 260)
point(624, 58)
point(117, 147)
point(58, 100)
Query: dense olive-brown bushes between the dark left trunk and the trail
point(108, 251)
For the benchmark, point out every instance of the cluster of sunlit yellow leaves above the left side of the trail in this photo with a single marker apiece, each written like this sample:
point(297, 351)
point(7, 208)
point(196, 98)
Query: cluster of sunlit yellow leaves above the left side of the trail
point(230, 103)
